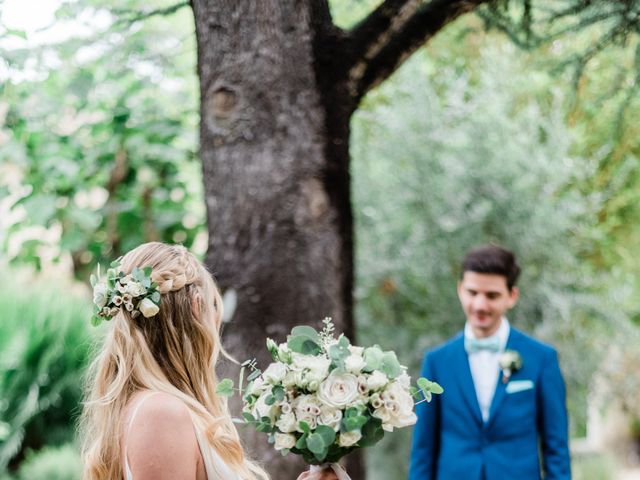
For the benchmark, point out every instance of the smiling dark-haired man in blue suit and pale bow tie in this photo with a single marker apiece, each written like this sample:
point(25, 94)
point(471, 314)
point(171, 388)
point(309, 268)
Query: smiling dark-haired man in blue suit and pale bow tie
point(498, 411)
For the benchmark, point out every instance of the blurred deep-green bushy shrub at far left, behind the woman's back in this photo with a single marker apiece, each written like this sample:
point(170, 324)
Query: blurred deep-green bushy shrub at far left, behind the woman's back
point(44, 341)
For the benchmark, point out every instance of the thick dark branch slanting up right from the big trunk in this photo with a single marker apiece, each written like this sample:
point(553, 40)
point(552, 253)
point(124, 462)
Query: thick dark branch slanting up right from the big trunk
point(392, 32)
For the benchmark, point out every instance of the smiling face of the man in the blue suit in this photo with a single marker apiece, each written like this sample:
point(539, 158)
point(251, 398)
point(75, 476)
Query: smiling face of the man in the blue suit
point(485, 298)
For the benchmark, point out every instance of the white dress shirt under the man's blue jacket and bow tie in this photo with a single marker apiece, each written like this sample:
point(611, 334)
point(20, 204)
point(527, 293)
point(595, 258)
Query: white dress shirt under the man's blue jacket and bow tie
point(485, 367)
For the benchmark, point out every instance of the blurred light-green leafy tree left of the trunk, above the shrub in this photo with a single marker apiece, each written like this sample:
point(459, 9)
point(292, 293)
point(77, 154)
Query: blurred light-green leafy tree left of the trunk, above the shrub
point(100, 142)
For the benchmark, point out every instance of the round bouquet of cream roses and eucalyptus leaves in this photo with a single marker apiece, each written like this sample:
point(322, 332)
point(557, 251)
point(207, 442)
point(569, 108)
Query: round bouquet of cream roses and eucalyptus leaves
point(322, 397)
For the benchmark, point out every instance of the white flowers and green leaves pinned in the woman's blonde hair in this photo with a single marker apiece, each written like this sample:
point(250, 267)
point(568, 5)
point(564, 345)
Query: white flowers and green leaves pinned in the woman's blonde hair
point(135, 293)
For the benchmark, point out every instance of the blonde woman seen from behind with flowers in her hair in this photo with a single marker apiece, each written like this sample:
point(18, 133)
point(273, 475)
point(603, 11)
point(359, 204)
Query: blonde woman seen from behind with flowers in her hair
point(151, 411)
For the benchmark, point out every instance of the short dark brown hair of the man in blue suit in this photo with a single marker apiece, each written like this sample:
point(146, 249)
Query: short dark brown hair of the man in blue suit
point(492, 259)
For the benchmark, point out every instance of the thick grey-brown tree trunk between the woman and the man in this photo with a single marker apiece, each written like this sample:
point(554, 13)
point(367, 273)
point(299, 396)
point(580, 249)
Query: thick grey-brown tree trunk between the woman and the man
point(274, 148)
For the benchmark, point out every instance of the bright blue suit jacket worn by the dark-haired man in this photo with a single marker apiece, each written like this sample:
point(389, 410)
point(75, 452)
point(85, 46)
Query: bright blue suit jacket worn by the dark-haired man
point(450, 440)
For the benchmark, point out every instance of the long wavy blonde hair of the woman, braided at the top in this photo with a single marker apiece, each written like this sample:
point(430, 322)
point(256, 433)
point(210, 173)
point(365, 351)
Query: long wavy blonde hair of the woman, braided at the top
point(174, 352)
